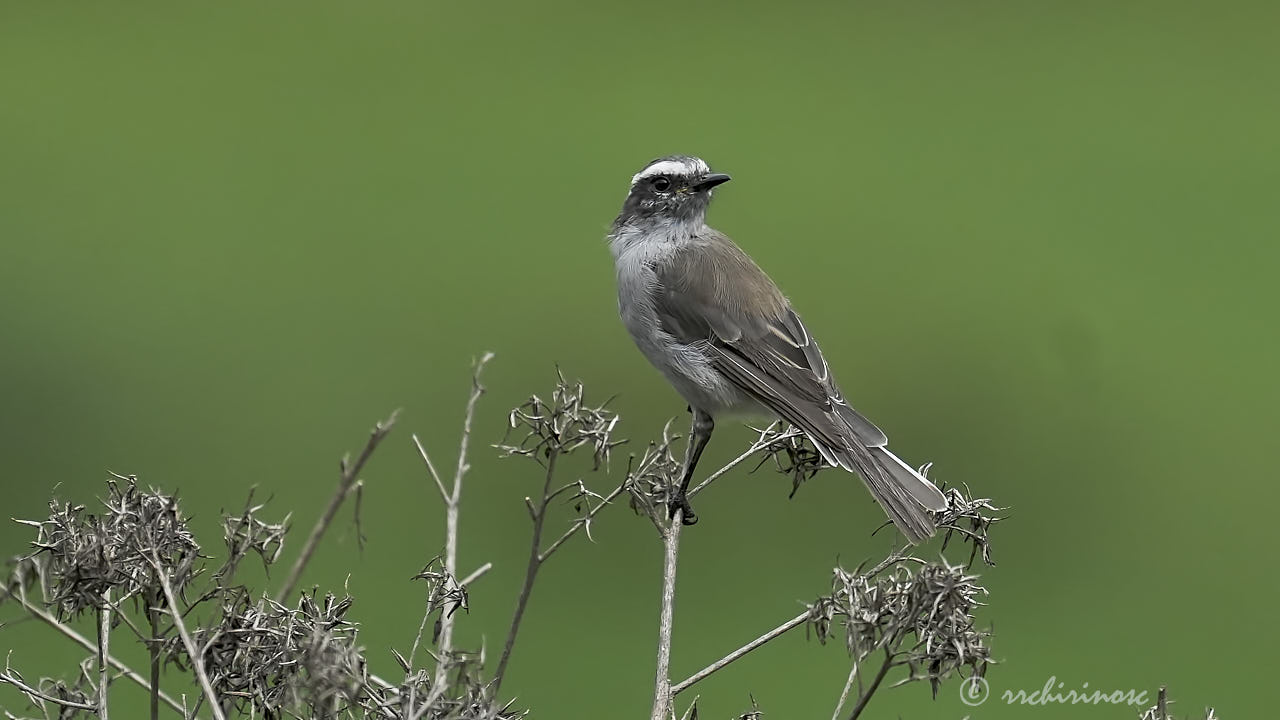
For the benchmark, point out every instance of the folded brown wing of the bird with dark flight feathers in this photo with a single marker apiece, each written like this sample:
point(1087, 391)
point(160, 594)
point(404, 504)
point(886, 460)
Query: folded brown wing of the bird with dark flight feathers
point(712, 291)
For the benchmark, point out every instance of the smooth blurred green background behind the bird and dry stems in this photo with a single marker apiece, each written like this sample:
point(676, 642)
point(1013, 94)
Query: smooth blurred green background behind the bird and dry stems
point(1037, 241)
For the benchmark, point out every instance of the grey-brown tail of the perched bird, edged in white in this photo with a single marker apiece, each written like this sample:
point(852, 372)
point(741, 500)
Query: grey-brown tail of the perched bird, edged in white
point(902, 491)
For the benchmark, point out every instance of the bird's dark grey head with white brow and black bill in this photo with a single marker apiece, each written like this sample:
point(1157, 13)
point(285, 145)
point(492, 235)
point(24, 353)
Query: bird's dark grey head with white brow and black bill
point(674, 189)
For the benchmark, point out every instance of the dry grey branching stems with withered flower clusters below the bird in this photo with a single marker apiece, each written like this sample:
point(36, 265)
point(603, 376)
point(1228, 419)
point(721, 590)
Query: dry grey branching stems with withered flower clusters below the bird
point(220, 649)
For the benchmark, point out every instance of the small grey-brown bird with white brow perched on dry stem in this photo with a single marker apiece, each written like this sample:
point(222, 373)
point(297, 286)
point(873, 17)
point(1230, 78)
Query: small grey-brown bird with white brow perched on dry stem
point(728, 340)
